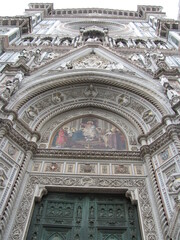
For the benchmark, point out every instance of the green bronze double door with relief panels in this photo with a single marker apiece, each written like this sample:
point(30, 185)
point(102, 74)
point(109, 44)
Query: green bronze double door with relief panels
point(66, 216)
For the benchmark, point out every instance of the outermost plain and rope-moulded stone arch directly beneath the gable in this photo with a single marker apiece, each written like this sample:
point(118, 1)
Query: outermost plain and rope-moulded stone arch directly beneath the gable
point(114, 80)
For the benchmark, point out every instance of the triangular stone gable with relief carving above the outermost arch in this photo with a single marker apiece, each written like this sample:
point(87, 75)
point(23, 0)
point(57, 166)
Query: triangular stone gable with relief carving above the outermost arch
point(90, 57)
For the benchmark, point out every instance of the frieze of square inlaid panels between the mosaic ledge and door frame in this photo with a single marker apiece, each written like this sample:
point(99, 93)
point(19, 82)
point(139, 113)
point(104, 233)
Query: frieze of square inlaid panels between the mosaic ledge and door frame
point(97, 167)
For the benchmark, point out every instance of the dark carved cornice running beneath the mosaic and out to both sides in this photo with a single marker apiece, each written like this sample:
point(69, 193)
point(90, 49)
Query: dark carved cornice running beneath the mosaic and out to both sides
point(32, 146)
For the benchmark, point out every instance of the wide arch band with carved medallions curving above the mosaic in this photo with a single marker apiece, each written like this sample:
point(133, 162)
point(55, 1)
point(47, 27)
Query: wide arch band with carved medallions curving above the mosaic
point(126, 104)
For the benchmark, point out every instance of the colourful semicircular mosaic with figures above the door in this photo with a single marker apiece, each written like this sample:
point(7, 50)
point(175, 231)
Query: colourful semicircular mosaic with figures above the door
point(89, 133)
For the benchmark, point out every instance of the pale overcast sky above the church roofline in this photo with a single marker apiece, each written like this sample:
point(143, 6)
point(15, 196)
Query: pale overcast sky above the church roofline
point(17, 7)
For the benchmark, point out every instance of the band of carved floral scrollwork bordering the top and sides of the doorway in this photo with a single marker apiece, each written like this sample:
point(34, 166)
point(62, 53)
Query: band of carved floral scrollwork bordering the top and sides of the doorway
point(149, 229)
